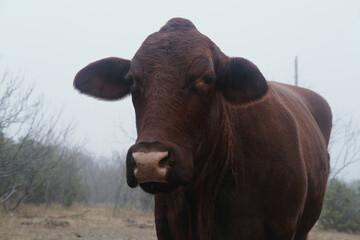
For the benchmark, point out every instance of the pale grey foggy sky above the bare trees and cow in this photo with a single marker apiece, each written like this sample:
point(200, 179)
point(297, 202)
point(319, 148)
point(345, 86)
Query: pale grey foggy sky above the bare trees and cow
point(50, 41)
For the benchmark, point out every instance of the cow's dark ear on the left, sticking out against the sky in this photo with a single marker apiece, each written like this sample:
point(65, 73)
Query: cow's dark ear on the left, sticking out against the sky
point(104, 79)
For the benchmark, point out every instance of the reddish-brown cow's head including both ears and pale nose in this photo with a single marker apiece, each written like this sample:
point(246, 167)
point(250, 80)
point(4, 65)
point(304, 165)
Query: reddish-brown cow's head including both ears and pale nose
point(175, 79)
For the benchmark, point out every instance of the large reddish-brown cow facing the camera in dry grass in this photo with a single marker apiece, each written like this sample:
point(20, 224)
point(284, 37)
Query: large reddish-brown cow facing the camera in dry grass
point(226, 153)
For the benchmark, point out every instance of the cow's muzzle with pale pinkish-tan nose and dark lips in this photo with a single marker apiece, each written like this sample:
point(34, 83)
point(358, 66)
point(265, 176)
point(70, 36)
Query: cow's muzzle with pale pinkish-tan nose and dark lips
point(157, 167)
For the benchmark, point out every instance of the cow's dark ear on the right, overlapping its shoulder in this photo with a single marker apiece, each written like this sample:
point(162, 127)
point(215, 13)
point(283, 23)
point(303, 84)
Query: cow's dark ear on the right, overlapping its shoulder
point(240, 81)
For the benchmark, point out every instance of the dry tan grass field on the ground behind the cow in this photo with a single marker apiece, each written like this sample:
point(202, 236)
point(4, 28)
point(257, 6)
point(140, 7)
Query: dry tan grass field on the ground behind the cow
point(98, 222)
